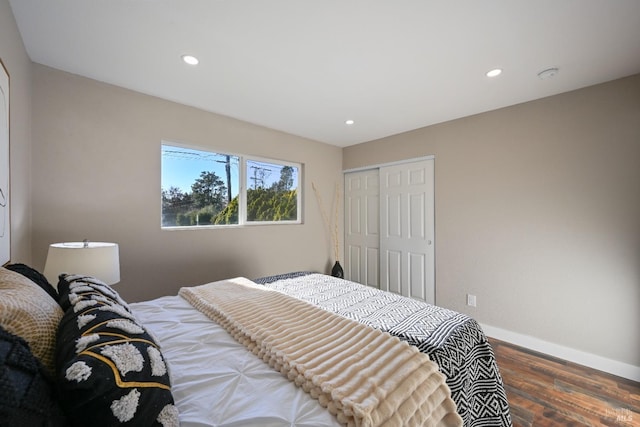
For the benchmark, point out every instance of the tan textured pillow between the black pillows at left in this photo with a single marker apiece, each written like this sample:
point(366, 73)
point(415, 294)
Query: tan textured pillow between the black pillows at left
point(28, 311)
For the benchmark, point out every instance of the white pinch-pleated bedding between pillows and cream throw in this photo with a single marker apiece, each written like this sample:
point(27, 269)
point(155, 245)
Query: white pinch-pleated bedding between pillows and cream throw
point(215, 380)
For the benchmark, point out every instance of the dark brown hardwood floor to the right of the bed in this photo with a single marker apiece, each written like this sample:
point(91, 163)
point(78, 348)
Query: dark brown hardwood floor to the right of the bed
point(546, 391)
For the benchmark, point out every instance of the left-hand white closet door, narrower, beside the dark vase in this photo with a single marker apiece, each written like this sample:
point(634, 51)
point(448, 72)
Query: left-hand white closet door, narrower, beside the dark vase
point(362, 235)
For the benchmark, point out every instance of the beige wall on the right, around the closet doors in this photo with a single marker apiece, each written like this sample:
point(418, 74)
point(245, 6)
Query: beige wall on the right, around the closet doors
point(538, 214)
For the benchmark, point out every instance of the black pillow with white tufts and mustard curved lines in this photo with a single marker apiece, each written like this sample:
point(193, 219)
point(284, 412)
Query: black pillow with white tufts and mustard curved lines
point(110, 370)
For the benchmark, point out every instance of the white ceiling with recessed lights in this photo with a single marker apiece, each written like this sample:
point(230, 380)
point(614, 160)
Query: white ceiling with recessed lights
point(306, 66)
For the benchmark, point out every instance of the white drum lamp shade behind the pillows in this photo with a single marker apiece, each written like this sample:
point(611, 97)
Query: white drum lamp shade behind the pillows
point(97, 259)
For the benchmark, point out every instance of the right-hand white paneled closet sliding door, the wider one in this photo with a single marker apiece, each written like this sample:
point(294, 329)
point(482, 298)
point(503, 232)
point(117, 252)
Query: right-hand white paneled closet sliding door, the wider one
point(407, 230)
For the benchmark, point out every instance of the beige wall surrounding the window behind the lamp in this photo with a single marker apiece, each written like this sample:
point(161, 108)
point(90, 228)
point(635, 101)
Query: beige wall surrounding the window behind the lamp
point(96, 175)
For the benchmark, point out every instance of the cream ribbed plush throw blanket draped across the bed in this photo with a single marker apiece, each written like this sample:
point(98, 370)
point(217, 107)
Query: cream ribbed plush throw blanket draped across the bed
point(363, 376)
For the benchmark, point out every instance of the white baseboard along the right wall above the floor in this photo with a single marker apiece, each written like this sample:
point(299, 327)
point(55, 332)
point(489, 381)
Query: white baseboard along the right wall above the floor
point(600, 363)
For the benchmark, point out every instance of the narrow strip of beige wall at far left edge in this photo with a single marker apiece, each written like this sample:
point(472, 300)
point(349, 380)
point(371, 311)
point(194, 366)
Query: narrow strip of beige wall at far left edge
point(15, 59)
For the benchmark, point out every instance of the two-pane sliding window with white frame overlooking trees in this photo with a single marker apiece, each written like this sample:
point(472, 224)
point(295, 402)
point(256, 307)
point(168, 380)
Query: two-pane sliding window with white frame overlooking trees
point(205, 188)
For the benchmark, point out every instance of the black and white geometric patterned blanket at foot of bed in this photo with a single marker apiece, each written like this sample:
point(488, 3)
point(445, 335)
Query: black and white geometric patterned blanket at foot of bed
point(453, 340)
